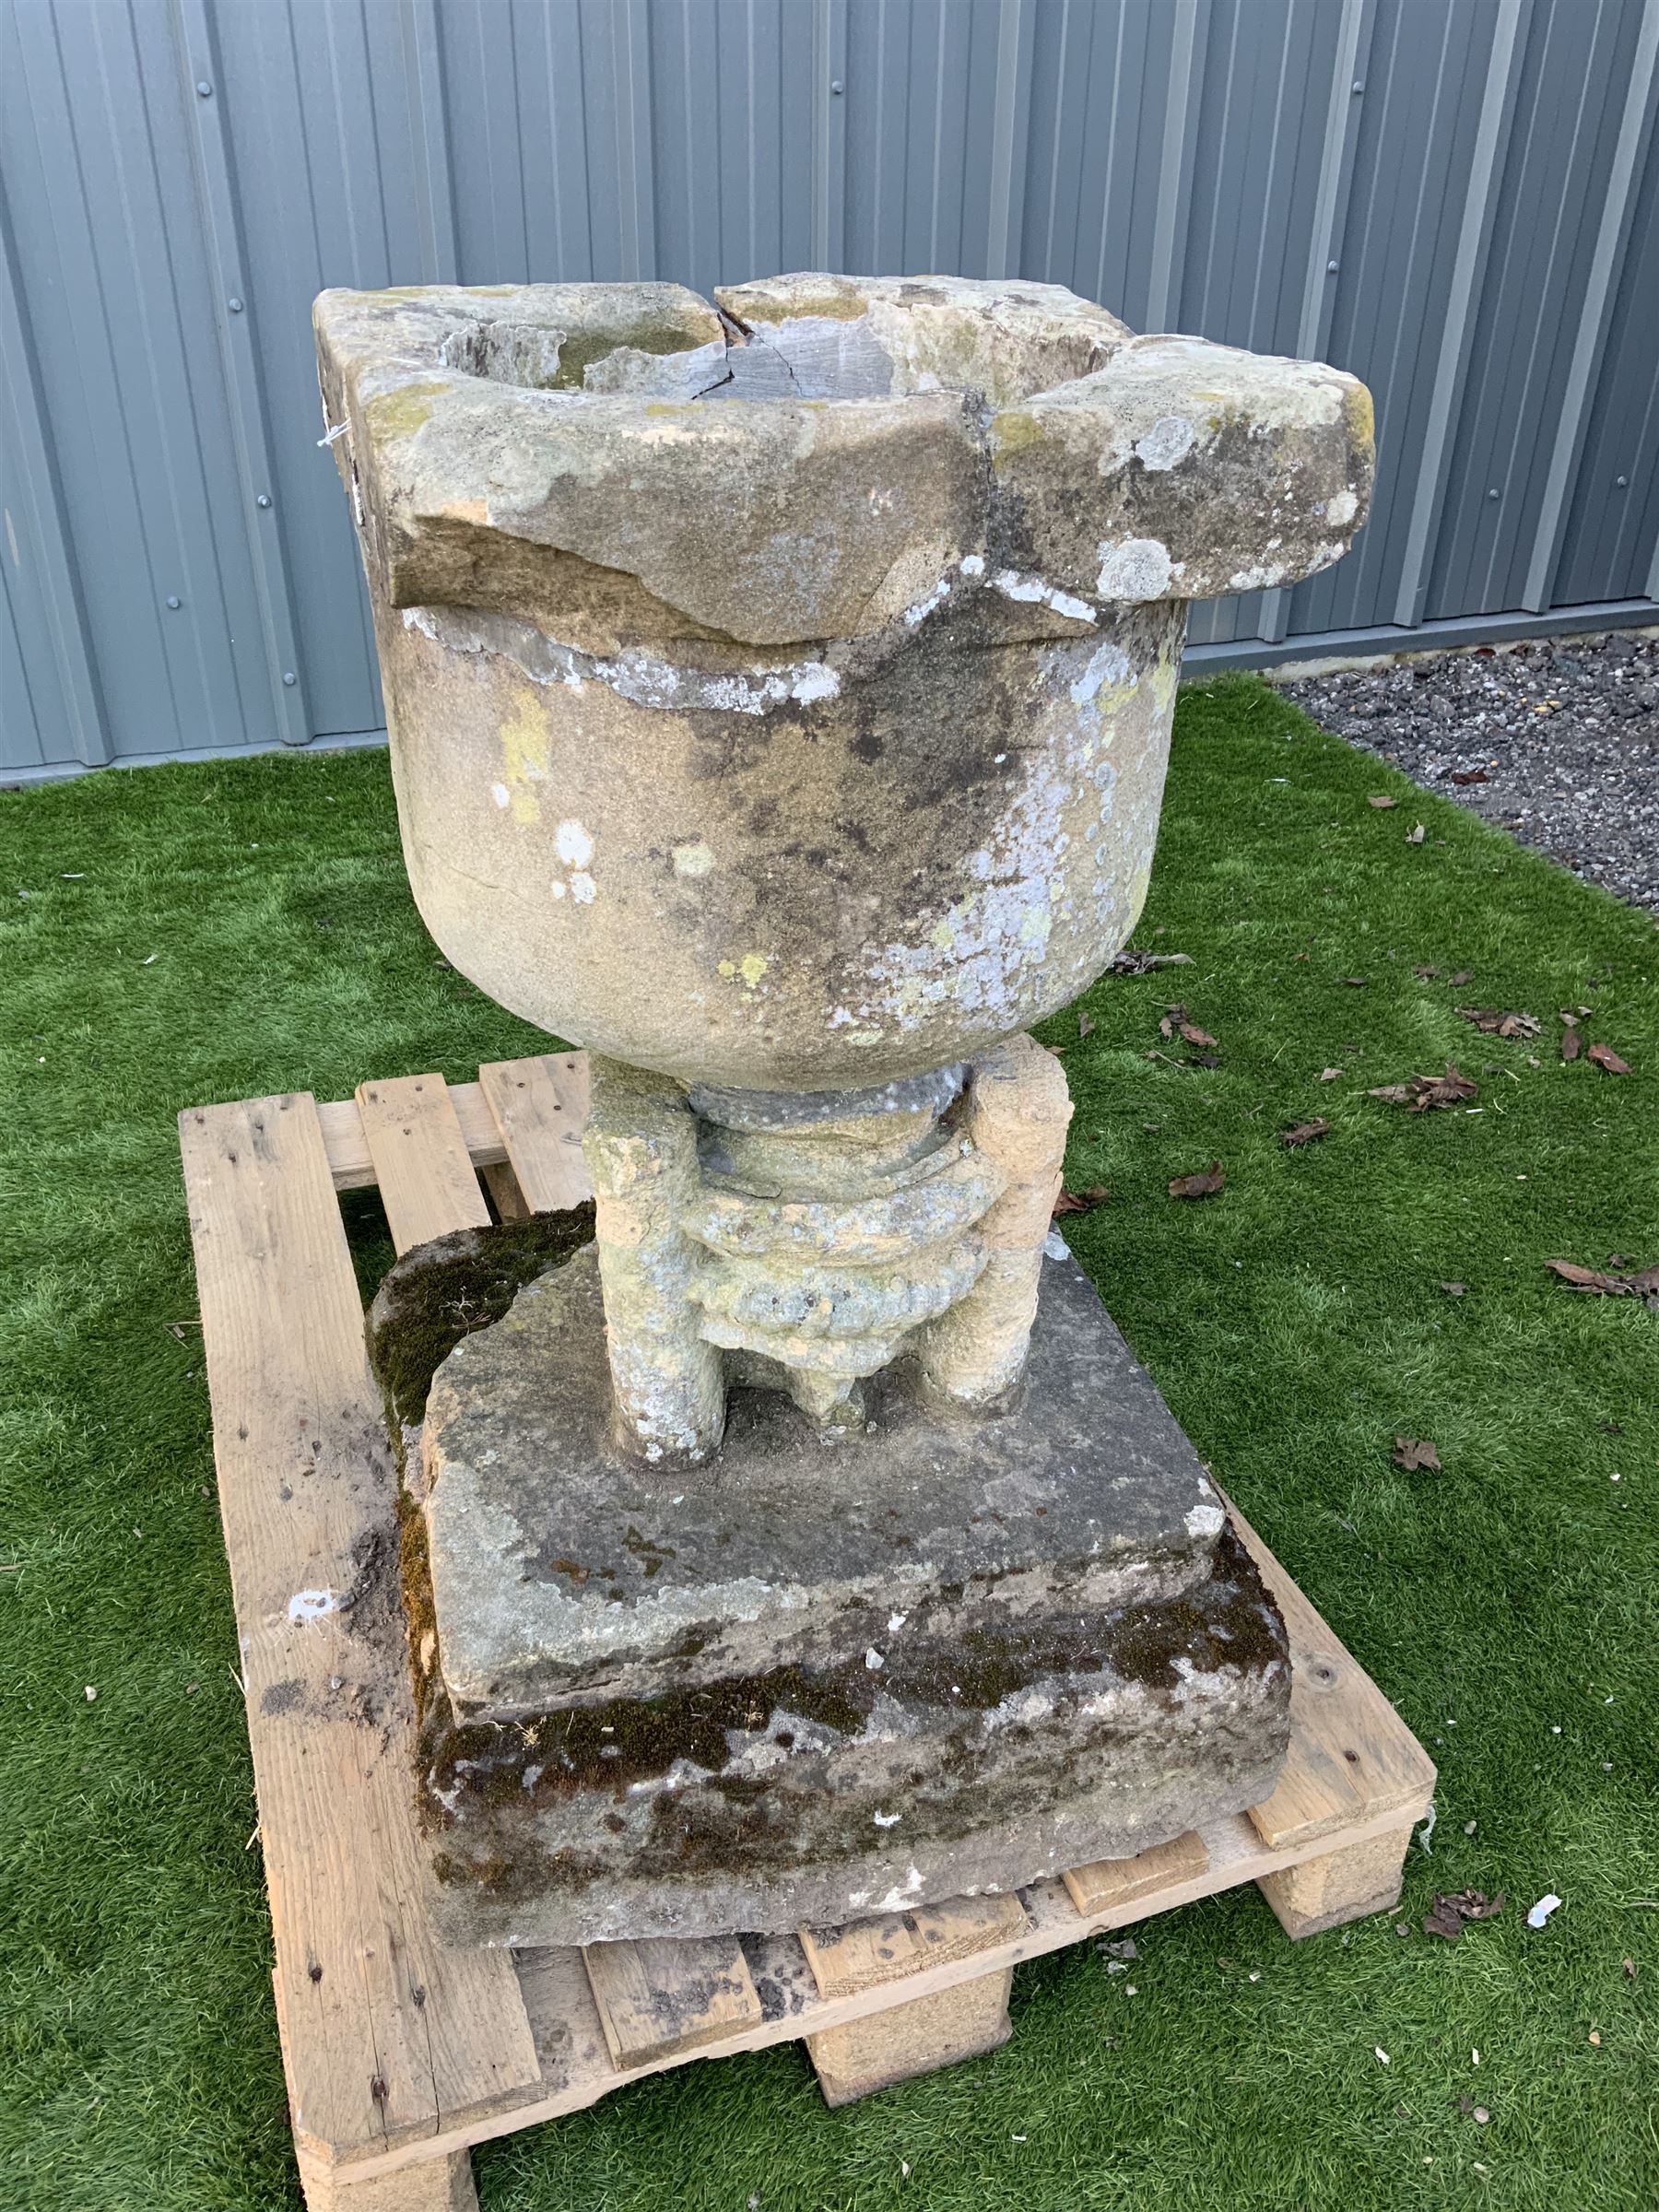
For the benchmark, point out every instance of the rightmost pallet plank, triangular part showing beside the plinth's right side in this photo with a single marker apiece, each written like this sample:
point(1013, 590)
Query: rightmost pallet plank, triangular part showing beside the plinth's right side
point(1350, 1753)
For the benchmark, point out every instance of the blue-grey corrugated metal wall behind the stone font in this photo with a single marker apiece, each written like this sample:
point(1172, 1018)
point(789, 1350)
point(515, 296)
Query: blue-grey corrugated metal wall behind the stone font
point(1454, 198)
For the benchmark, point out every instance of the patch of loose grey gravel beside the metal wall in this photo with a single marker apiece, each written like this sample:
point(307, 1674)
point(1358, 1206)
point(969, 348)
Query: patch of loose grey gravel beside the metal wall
point(1556, 742)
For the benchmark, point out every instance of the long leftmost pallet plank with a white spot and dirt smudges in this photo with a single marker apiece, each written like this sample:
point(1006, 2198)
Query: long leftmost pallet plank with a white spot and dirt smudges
point(388, 2038)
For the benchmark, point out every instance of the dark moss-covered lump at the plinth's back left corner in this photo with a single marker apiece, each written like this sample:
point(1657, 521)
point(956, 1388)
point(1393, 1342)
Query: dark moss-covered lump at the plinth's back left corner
point(452, 1286)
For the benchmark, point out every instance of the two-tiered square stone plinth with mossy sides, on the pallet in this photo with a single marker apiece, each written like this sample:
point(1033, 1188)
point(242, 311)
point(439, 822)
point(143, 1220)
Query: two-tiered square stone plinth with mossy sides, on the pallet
point(817, 1680)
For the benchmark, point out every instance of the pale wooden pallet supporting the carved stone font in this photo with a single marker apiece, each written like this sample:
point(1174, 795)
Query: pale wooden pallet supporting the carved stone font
point(404, 2054)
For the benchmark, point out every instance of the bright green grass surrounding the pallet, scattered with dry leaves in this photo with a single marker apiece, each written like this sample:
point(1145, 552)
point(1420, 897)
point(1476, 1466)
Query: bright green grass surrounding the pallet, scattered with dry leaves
point(1295, 1324)
